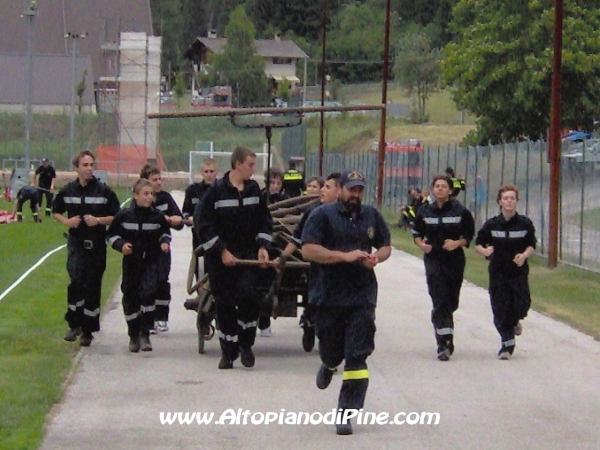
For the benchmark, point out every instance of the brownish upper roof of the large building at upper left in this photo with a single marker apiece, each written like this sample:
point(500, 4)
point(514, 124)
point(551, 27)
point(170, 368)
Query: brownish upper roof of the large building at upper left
point(102, 20)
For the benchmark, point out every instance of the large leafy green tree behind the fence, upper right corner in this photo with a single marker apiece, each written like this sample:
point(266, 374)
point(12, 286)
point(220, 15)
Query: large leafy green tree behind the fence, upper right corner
point(500, 65)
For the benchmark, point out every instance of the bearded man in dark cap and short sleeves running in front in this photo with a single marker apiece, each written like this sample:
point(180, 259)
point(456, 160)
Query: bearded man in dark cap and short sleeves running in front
point(340, 237)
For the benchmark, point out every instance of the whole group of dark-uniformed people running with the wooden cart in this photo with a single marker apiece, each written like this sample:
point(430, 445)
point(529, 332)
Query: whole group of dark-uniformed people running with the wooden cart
point(342, 238)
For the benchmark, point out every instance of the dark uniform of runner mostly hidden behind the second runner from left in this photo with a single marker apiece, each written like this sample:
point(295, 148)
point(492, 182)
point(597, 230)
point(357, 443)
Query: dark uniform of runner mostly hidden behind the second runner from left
point(165, 203)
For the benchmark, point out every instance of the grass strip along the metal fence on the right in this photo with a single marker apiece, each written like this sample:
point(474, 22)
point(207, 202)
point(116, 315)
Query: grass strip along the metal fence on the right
point(566, 293)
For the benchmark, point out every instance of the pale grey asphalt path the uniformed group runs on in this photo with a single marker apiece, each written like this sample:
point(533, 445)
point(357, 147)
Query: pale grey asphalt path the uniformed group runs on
point(547, 396)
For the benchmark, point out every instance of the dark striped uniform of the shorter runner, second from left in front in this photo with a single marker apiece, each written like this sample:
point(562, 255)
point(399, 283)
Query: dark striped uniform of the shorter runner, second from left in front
point(145, 229)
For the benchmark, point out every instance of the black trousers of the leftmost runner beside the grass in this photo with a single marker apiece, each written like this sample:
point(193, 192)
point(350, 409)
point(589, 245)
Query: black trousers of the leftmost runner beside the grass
point(86, 262)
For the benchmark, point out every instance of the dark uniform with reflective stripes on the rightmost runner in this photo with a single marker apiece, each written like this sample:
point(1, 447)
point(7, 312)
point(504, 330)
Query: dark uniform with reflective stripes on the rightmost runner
point(509, 286)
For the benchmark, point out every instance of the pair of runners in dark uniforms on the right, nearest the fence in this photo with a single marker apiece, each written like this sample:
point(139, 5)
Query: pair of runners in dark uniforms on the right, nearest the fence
point(442, 228)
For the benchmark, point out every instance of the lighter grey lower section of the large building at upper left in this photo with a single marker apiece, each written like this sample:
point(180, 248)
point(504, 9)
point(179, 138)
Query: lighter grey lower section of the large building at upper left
point(52, 81)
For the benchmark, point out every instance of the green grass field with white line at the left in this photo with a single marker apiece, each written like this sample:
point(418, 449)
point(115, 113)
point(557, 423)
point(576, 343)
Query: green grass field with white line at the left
point(34, 359)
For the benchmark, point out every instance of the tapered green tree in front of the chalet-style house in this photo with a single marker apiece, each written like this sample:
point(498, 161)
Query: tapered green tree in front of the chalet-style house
point(238, 65)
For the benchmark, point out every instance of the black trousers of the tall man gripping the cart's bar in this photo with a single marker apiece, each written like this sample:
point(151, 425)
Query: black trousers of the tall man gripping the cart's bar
point(237, 306)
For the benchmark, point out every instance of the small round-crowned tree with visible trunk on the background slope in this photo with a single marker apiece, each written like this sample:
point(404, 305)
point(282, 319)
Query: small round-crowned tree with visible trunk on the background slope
point(417, 68)
